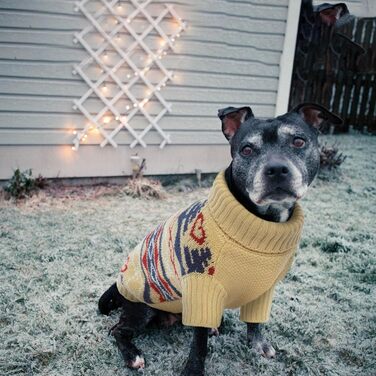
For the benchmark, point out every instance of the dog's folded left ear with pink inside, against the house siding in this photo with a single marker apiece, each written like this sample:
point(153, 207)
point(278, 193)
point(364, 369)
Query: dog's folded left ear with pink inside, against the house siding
point(232, 118)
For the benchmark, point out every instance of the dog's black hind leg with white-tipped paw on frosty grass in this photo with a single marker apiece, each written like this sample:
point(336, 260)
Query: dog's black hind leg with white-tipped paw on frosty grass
point(134, 318)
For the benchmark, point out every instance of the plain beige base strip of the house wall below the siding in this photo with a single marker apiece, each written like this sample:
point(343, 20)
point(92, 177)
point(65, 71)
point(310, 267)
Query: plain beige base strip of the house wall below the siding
point(62, 161)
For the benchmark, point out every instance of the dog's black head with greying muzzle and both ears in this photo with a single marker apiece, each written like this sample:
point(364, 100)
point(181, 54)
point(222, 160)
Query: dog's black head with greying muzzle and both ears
point(274, 160)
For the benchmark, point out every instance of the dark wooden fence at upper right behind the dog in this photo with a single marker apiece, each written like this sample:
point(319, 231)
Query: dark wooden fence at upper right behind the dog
point(336, 67)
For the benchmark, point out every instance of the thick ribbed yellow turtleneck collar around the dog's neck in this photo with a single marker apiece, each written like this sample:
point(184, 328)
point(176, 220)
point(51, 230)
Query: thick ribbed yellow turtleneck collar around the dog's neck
point(249, 230)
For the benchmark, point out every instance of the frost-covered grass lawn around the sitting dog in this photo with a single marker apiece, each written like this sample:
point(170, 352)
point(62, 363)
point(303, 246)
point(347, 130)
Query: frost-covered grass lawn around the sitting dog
point(59, 254)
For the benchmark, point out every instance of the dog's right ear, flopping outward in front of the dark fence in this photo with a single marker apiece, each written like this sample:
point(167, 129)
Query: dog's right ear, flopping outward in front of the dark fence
point(314, 114)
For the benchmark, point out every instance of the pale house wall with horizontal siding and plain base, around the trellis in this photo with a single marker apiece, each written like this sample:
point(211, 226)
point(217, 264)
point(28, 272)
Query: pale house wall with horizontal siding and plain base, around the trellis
point(229, 55)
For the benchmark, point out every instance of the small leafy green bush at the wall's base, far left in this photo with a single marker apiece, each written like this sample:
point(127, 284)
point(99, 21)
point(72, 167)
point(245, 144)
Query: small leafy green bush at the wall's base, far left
point(22, 184)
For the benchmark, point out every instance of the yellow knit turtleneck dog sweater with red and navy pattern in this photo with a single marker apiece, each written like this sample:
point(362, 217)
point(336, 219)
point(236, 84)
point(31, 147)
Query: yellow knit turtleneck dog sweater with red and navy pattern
point(213, 255)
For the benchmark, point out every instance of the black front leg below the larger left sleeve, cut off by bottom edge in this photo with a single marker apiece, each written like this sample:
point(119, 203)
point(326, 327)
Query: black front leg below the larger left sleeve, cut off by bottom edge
point(196, 361)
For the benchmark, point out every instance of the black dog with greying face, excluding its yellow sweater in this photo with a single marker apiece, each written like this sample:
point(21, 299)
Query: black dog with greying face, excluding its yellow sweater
point(273, 163)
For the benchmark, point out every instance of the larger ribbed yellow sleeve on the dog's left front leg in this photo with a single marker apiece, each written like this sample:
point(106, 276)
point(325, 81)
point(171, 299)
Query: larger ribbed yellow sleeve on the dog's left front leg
point(203, 301)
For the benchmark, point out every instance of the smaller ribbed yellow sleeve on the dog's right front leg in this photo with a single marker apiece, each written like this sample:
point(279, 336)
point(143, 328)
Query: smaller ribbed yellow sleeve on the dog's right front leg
point(258, 310)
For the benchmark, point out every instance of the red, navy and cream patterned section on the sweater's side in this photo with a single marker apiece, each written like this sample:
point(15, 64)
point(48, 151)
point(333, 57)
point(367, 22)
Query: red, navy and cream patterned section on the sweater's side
point(172, 250)
